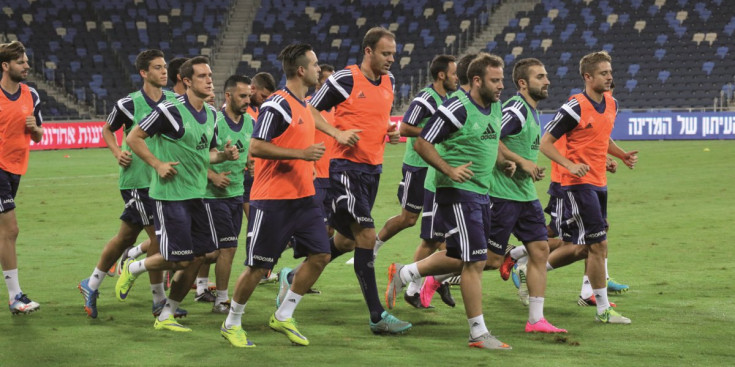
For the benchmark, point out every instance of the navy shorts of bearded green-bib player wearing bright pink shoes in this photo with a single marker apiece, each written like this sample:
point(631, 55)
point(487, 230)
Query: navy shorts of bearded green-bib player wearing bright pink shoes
point(525, 220)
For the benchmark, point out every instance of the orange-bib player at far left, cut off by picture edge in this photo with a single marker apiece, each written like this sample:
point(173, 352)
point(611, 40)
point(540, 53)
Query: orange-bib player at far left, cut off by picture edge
point(20, 122)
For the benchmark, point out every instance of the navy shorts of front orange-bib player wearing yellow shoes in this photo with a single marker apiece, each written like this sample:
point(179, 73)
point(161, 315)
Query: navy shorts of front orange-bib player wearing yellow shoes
point(271, 227)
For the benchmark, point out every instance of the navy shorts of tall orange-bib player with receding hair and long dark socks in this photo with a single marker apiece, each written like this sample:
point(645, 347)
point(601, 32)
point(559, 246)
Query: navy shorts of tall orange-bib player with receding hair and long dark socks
point(353, 197)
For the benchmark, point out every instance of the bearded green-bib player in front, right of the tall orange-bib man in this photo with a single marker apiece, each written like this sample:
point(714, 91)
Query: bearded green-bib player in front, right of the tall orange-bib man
point(463, 178)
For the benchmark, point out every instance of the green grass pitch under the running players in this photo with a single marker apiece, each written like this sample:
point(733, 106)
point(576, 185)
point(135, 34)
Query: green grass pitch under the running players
point(672, 224)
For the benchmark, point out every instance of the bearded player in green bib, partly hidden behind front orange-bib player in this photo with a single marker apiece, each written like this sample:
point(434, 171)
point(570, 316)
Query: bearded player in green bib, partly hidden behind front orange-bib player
point(223, 199)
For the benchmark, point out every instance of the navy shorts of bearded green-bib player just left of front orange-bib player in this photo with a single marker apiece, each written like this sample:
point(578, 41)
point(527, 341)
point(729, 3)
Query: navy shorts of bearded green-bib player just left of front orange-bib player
point(225, 220)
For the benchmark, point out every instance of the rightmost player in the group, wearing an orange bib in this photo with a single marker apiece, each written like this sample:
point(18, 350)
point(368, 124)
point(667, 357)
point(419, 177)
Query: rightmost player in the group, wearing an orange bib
point(586, 122)
